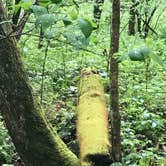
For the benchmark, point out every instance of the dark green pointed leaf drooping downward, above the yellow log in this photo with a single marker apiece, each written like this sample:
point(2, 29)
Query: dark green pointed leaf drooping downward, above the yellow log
point(85, 26)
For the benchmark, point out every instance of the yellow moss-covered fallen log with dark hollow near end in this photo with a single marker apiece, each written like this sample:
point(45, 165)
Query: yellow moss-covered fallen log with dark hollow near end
point(92, 121)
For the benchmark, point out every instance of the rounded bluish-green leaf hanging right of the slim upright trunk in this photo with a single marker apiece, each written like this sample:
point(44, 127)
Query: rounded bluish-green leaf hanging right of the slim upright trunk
point(135, 55)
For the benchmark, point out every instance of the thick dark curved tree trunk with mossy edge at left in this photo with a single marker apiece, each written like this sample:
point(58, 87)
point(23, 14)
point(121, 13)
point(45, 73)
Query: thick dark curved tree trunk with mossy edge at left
point(33, 137)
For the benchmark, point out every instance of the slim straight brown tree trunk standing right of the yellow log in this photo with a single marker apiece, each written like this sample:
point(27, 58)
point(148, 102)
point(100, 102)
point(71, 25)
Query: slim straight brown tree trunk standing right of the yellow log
point(115, 115)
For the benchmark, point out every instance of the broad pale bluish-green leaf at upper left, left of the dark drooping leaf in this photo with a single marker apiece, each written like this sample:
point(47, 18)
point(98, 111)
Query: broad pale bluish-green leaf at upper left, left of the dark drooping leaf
point(46, 20)
